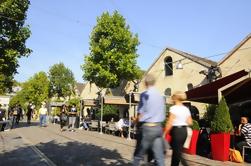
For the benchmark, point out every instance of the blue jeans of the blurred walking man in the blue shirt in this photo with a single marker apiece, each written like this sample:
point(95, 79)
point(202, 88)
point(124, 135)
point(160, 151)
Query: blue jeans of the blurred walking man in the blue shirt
point(151, 139)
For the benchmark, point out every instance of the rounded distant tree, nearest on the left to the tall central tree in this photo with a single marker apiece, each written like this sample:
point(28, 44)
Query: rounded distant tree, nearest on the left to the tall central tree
point(62, 82)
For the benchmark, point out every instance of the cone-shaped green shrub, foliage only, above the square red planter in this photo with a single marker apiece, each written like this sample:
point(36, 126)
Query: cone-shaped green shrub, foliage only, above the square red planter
point(221, 122)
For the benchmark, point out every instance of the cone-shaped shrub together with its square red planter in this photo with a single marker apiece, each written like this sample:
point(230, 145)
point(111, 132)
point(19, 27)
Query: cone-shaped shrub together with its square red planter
point(221, 126)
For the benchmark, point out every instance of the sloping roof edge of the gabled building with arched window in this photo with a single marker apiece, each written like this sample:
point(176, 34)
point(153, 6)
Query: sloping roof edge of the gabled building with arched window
point(202, 61)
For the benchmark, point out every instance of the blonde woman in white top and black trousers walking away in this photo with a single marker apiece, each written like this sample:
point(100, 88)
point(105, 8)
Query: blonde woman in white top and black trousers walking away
point(178, 121)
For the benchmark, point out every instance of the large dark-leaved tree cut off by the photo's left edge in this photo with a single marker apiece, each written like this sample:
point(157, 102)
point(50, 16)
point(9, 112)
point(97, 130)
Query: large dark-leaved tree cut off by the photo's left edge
point(13, 35)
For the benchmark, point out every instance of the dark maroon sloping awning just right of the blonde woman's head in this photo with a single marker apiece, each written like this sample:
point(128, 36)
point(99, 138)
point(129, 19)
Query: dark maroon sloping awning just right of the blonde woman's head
point(208, 93)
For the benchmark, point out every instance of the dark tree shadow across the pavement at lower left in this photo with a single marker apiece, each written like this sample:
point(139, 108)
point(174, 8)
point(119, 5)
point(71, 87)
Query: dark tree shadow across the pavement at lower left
point(64, 154)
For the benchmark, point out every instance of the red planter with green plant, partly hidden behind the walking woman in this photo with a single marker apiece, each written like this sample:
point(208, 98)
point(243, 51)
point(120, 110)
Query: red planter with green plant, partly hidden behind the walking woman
point(195, 135)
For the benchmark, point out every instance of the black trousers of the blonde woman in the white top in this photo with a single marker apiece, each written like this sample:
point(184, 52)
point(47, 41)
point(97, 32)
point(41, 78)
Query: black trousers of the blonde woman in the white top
point(179, 135)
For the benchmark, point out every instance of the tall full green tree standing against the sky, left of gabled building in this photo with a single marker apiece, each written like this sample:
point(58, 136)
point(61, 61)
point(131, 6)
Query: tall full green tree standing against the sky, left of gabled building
point(112, 55)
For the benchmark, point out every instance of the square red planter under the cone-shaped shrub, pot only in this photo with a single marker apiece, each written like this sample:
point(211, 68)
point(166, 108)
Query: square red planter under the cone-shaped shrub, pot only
point(220, 144)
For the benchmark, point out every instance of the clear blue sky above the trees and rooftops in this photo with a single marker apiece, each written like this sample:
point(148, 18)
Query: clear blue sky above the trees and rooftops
point(61, 29)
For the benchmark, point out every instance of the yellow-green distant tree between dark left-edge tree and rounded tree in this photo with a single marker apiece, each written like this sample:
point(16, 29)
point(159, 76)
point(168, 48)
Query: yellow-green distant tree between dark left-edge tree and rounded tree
point(35, 90)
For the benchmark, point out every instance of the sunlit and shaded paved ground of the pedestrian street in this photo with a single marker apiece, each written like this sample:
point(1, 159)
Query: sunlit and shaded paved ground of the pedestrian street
point(35, 146)
